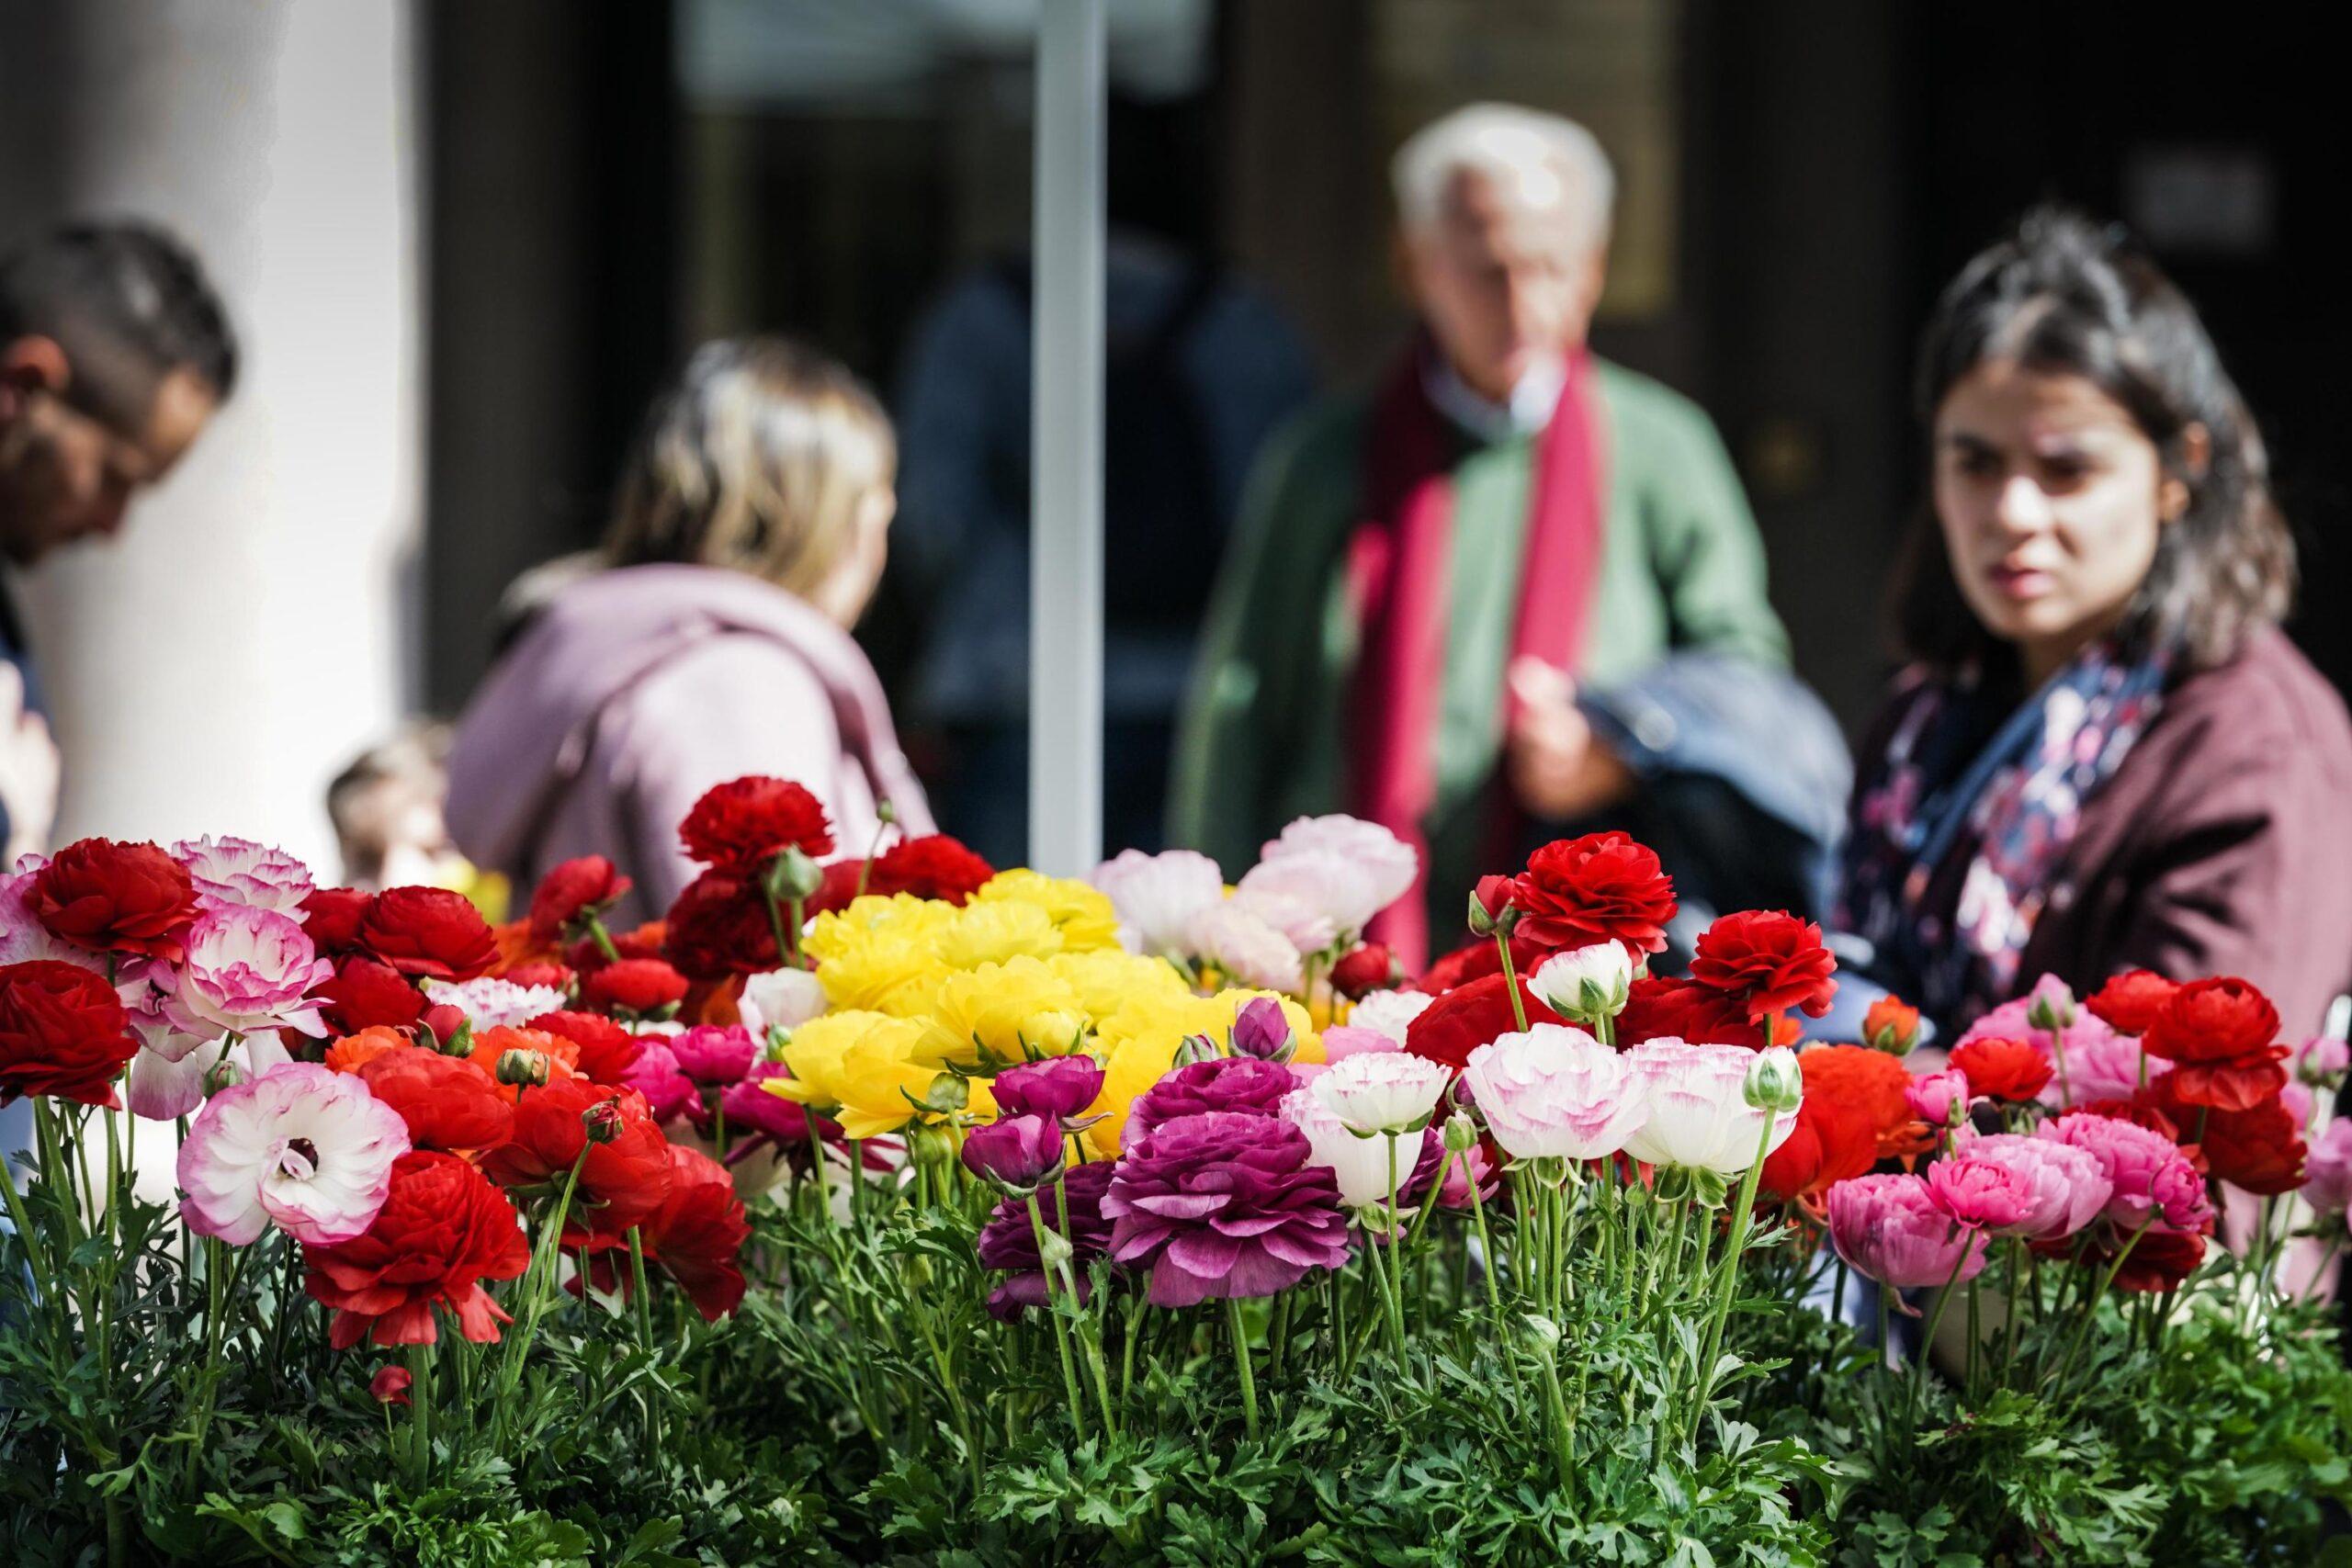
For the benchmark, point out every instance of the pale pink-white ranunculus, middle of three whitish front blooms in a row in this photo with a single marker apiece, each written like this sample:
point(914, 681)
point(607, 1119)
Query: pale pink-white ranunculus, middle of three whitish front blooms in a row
point(1561, 1094)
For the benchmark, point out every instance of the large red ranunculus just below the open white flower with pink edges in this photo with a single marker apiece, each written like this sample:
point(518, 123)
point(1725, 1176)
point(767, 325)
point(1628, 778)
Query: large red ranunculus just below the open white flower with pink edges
point(443, 1231)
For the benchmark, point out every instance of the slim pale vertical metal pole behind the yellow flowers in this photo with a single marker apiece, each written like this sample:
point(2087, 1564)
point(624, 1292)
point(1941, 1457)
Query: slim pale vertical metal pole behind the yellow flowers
point(1067, 445)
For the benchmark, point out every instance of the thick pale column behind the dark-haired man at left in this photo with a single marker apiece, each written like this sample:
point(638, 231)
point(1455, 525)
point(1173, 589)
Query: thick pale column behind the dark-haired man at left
point(218, 664)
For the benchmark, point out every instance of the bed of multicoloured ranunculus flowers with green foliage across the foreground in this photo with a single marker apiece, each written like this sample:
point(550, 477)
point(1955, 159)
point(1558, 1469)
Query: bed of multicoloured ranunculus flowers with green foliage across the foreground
point(900, 1209)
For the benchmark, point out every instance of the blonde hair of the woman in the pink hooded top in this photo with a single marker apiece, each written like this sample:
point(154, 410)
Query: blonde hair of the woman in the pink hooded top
point(756, 460)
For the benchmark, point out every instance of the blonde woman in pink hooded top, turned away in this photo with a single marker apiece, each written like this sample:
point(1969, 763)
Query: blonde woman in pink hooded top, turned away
point(707, 641)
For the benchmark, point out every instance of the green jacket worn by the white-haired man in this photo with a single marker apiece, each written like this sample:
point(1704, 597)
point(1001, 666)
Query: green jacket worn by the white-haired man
point(1264, 730)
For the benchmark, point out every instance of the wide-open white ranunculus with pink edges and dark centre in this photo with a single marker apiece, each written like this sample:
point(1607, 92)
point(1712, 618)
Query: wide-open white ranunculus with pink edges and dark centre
point(300, 1148)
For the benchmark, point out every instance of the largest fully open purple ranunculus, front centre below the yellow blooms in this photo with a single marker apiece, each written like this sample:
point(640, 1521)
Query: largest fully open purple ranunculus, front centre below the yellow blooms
point(1224, 1205)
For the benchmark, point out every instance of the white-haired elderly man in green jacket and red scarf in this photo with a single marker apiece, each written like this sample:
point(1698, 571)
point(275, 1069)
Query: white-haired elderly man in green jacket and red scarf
point(1436, 589)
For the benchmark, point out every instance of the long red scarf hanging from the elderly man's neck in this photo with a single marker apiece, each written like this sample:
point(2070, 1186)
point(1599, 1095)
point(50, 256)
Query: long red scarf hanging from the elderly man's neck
point(1398, 570)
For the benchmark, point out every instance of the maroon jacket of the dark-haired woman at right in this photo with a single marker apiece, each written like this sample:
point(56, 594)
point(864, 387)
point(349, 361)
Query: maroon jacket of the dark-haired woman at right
point(2224, 845)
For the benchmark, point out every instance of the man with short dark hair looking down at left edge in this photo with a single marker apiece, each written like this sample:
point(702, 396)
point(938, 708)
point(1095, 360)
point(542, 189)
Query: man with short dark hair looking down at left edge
point(114, 354)
